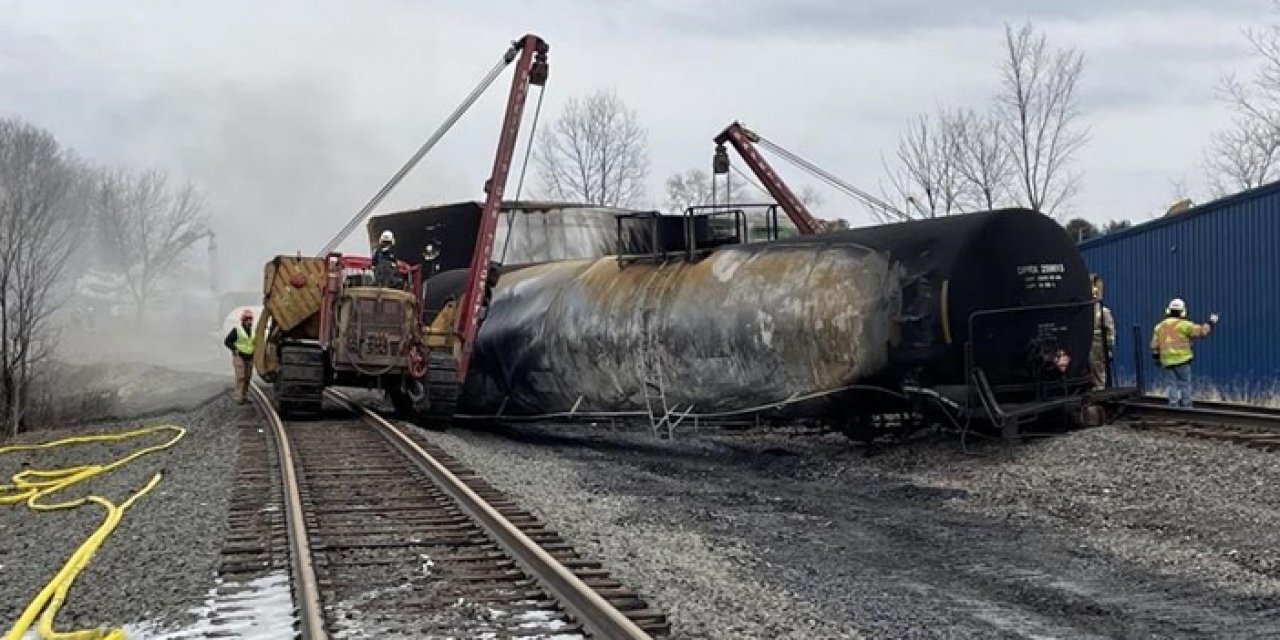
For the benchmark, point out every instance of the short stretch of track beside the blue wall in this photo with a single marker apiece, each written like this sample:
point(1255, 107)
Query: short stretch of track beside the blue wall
point(1241, 424)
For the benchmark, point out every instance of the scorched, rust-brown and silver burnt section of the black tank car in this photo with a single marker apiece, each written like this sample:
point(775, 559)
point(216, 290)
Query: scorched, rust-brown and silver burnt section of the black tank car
point(743, 327)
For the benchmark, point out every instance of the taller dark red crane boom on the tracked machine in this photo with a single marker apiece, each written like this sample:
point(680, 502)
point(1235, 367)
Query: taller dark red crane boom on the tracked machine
point(532, 70)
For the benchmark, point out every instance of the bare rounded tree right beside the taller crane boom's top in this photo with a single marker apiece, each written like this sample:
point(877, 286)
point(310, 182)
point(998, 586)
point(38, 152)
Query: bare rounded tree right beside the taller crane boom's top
point(597, 153)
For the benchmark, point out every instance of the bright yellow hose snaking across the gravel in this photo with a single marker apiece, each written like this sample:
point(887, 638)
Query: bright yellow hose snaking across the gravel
point(34, 484)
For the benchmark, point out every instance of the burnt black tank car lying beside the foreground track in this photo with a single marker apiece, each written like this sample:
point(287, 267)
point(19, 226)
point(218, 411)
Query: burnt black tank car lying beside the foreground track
point(979, 316)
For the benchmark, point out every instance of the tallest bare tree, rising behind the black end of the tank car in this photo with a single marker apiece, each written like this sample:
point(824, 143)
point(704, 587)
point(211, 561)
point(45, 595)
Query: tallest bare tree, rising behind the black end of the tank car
point(1039, 106)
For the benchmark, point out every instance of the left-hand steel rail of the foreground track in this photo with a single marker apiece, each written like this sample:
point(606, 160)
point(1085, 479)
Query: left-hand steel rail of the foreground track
point(307, 587)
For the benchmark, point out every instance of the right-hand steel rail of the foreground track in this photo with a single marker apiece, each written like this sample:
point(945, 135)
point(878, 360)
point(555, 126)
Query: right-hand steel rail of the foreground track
point(597, 616)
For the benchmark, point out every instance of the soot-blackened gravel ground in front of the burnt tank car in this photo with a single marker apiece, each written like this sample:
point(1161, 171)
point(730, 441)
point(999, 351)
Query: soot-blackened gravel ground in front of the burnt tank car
point(1104, 533)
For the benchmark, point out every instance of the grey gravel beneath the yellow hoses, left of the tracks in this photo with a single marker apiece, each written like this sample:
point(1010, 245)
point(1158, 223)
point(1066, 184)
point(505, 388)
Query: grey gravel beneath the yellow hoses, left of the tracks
point(161, 561)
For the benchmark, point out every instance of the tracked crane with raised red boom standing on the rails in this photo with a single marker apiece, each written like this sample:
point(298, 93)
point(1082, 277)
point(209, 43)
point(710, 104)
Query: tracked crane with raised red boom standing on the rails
point(332, 321)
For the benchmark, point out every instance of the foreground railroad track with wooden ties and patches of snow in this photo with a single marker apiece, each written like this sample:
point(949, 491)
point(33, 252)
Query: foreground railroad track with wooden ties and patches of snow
point(385, 536)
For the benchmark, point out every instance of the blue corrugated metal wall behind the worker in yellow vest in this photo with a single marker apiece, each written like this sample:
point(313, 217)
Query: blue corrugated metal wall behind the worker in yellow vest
point(1222, 257)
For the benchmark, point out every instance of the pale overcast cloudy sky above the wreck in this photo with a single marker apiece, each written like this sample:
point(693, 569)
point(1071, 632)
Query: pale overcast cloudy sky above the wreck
point(292, 115)
